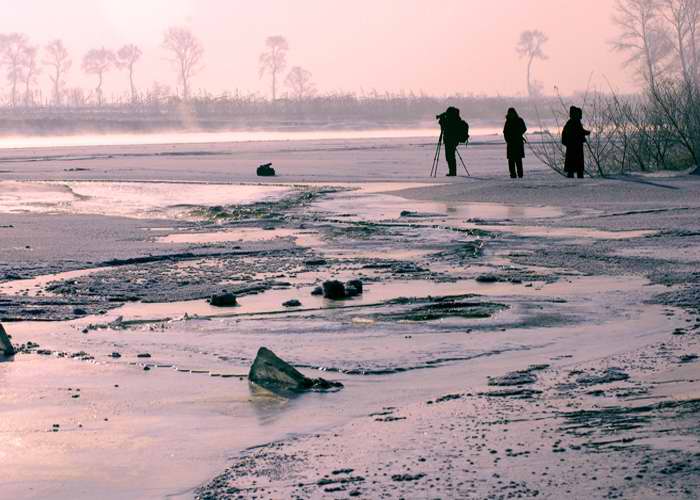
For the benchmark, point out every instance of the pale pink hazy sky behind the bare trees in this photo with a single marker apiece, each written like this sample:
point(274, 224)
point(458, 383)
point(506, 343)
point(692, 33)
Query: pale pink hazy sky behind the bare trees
point(446, 47)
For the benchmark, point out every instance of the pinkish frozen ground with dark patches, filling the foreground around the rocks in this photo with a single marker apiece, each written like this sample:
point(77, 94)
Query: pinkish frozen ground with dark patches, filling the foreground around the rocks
point(516, 339)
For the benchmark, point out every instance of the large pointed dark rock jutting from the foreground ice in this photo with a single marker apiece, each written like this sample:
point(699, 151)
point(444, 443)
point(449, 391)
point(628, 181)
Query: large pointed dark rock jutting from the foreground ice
point(277, 375)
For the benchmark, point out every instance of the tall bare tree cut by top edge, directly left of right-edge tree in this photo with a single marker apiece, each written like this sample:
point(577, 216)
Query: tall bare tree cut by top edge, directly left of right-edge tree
point(643, 37)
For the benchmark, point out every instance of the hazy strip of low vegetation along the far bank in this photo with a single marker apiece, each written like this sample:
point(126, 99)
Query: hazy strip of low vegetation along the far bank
point(228, 112)
